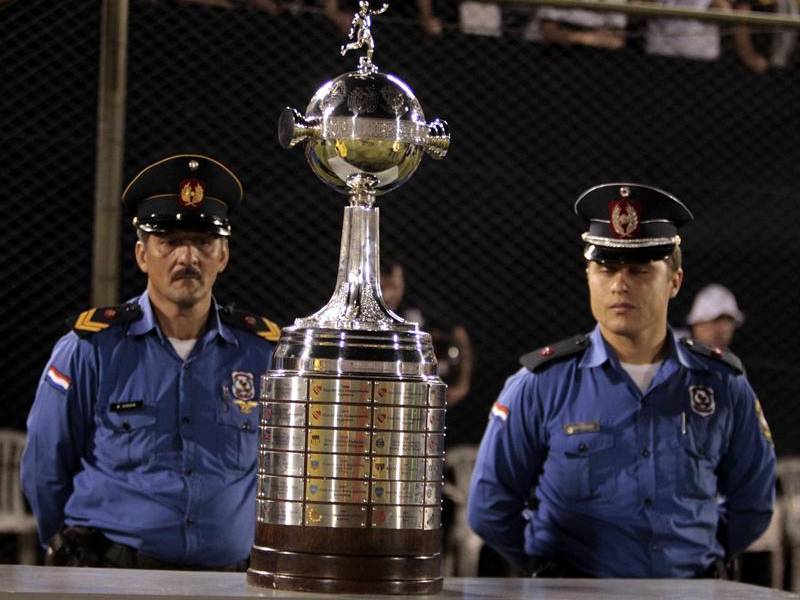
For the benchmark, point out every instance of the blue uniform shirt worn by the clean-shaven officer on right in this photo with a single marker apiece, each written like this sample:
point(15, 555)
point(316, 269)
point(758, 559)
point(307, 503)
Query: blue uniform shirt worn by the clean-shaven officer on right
point(659, 484)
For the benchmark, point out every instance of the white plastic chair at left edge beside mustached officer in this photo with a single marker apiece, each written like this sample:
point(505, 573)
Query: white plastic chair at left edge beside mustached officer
point(14, 519)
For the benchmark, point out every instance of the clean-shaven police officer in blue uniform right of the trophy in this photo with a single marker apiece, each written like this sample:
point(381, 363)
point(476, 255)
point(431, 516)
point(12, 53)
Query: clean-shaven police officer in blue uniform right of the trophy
point(647, 456)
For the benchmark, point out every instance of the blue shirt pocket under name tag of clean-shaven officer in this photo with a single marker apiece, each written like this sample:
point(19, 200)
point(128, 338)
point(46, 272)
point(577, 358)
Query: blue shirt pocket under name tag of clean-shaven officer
point(584, 465)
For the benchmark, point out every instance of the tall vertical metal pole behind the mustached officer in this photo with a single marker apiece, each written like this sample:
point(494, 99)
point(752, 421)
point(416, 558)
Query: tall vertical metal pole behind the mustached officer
point(110, 152)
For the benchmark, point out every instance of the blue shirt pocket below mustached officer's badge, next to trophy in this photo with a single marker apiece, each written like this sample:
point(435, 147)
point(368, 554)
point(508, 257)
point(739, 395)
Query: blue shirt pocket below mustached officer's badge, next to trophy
point(237, 435)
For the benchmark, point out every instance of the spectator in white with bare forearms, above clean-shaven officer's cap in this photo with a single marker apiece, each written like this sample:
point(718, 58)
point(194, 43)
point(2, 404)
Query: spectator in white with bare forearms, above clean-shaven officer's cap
point(576, 26)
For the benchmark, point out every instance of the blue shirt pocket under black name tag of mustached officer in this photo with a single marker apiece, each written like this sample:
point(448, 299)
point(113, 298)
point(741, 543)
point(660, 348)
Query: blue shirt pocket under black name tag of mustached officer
point(128, 435)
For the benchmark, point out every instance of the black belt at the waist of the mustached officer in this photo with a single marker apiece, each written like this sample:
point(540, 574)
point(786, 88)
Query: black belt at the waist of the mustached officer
point(87, 547)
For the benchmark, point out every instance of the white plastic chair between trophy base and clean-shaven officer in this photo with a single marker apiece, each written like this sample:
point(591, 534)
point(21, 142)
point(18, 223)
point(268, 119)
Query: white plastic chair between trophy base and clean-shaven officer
point(462, 546)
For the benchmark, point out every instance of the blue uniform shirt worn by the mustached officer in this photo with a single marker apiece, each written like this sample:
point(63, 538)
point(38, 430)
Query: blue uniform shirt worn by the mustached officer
point(156, 452)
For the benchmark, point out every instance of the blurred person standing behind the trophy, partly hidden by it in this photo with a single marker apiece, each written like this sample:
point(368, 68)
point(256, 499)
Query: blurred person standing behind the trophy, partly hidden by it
point(451, 343)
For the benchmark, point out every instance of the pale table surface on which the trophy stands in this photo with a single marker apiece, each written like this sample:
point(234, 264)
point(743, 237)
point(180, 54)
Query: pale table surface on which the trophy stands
point(46, 583)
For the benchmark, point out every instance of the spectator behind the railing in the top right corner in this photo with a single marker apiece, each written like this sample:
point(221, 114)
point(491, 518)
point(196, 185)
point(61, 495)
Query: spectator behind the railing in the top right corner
point(766, 47)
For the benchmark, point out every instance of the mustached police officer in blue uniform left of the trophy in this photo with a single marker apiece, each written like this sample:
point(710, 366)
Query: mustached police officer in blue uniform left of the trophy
point(143, 437)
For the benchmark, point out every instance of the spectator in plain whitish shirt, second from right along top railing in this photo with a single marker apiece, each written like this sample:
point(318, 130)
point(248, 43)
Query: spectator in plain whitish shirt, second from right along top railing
point(687, 38)
